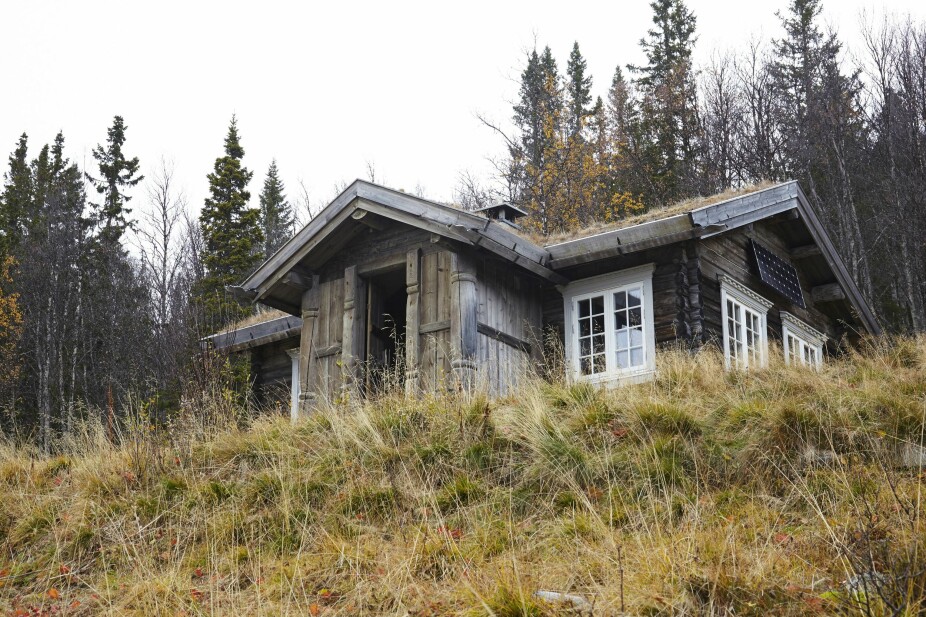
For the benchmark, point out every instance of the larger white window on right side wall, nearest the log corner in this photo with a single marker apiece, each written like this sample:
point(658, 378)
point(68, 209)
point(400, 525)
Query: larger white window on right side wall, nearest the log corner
point(745, 329)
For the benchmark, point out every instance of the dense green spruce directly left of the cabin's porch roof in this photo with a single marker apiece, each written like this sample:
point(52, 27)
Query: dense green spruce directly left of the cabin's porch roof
point(231, 232)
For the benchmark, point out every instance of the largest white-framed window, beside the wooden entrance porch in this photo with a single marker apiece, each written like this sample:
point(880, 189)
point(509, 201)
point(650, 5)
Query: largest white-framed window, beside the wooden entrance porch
point(609, 325)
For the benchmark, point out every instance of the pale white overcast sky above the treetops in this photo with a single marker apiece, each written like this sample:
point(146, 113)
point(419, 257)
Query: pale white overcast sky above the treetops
point(325, 88)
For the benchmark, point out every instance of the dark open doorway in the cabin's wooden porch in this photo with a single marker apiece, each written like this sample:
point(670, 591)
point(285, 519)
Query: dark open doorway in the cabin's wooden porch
point(385, 331)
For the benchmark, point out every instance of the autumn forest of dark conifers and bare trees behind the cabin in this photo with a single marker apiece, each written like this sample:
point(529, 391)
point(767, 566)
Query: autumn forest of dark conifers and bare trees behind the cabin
point(109, 280)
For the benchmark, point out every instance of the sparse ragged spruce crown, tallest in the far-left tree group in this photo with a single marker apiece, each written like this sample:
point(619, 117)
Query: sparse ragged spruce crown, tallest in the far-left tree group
point(117, 173)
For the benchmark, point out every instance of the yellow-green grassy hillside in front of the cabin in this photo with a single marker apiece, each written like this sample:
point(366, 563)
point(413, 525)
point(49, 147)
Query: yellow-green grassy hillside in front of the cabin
point(705, 492)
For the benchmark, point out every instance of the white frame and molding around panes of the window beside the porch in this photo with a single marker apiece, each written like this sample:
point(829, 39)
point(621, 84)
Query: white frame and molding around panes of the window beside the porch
point(606, 284)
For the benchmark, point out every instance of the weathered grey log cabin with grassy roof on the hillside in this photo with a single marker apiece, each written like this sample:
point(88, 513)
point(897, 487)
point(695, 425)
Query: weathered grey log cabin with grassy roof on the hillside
point(382, 287)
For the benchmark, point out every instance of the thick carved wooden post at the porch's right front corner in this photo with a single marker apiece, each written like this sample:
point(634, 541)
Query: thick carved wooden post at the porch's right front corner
point(463, 335)
